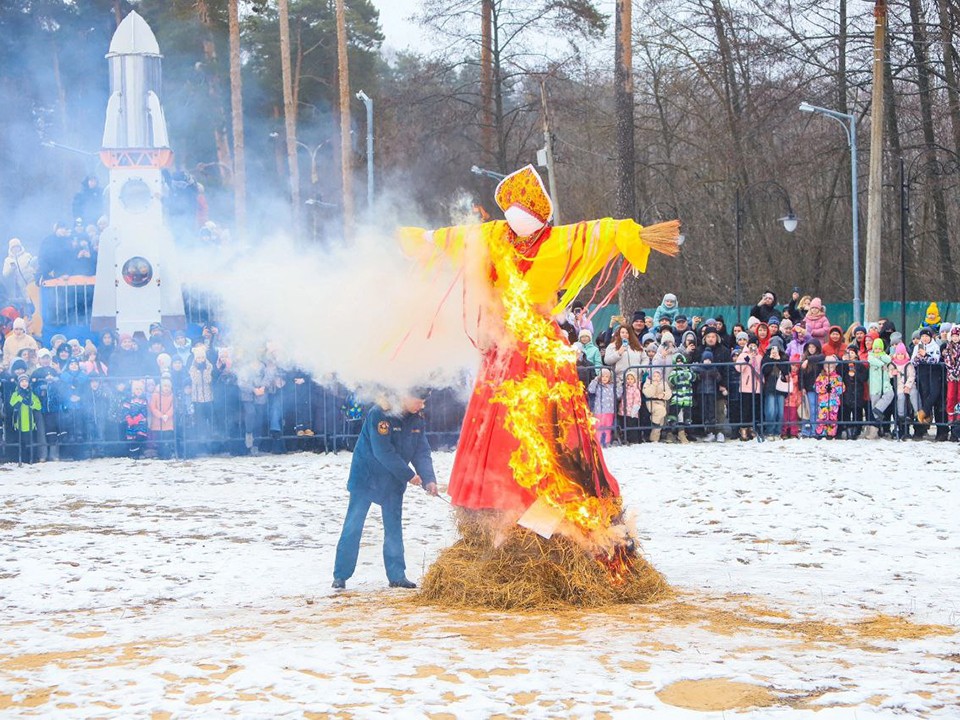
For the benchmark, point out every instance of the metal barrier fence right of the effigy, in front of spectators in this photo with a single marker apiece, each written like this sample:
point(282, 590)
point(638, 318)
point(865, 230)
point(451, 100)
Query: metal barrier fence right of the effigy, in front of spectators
point(784, 399)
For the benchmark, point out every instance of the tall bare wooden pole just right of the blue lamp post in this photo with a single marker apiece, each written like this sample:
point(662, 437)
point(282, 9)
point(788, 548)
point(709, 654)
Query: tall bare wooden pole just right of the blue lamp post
point(871, 290)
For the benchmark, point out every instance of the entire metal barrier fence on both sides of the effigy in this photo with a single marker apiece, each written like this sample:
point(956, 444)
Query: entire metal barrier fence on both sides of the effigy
point(94, 416)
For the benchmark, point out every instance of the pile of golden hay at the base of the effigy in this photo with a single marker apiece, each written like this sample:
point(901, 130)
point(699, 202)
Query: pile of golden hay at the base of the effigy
point(501, 567)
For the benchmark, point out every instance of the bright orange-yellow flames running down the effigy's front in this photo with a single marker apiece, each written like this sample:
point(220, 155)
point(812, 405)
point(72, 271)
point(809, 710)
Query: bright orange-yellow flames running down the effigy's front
point(531, 402)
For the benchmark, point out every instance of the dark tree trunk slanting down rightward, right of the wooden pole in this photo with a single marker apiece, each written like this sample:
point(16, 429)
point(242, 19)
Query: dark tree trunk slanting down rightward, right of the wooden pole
point(929, 139)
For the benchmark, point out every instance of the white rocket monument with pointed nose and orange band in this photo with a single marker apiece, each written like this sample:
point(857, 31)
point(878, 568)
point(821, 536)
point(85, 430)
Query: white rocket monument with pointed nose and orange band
point(137, 282)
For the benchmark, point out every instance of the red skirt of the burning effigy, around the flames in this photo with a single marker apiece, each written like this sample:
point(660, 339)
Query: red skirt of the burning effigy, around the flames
point(481, 477)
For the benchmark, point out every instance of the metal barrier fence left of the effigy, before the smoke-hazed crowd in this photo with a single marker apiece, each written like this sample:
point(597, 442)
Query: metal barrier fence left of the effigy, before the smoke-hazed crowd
point(99, 416)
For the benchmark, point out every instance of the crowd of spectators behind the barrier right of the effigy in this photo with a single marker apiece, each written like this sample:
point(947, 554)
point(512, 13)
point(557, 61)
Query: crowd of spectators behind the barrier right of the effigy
point(787, 372)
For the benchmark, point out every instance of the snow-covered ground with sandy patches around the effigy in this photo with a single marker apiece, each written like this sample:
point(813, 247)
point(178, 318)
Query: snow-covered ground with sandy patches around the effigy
point(814, 579)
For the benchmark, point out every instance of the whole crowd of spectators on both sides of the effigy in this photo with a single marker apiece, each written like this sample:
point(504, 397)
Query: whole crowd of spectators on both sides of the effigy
point(787, 372)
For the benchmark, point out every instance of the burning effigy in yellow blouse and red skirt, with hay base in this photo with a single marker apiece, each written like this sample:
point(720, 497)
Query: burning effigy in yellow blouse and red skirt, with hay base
point(540, 516)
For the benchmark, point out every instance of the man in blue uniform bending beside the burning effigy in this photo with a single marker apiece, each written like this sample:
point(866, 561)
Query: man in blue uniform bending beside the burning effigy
point(379, 473)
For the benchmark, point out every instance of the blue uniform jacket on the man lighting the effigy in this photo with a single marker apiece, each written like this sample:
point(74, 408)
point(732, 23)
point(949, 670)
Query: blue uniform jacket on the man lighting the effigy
point(387, 445)
